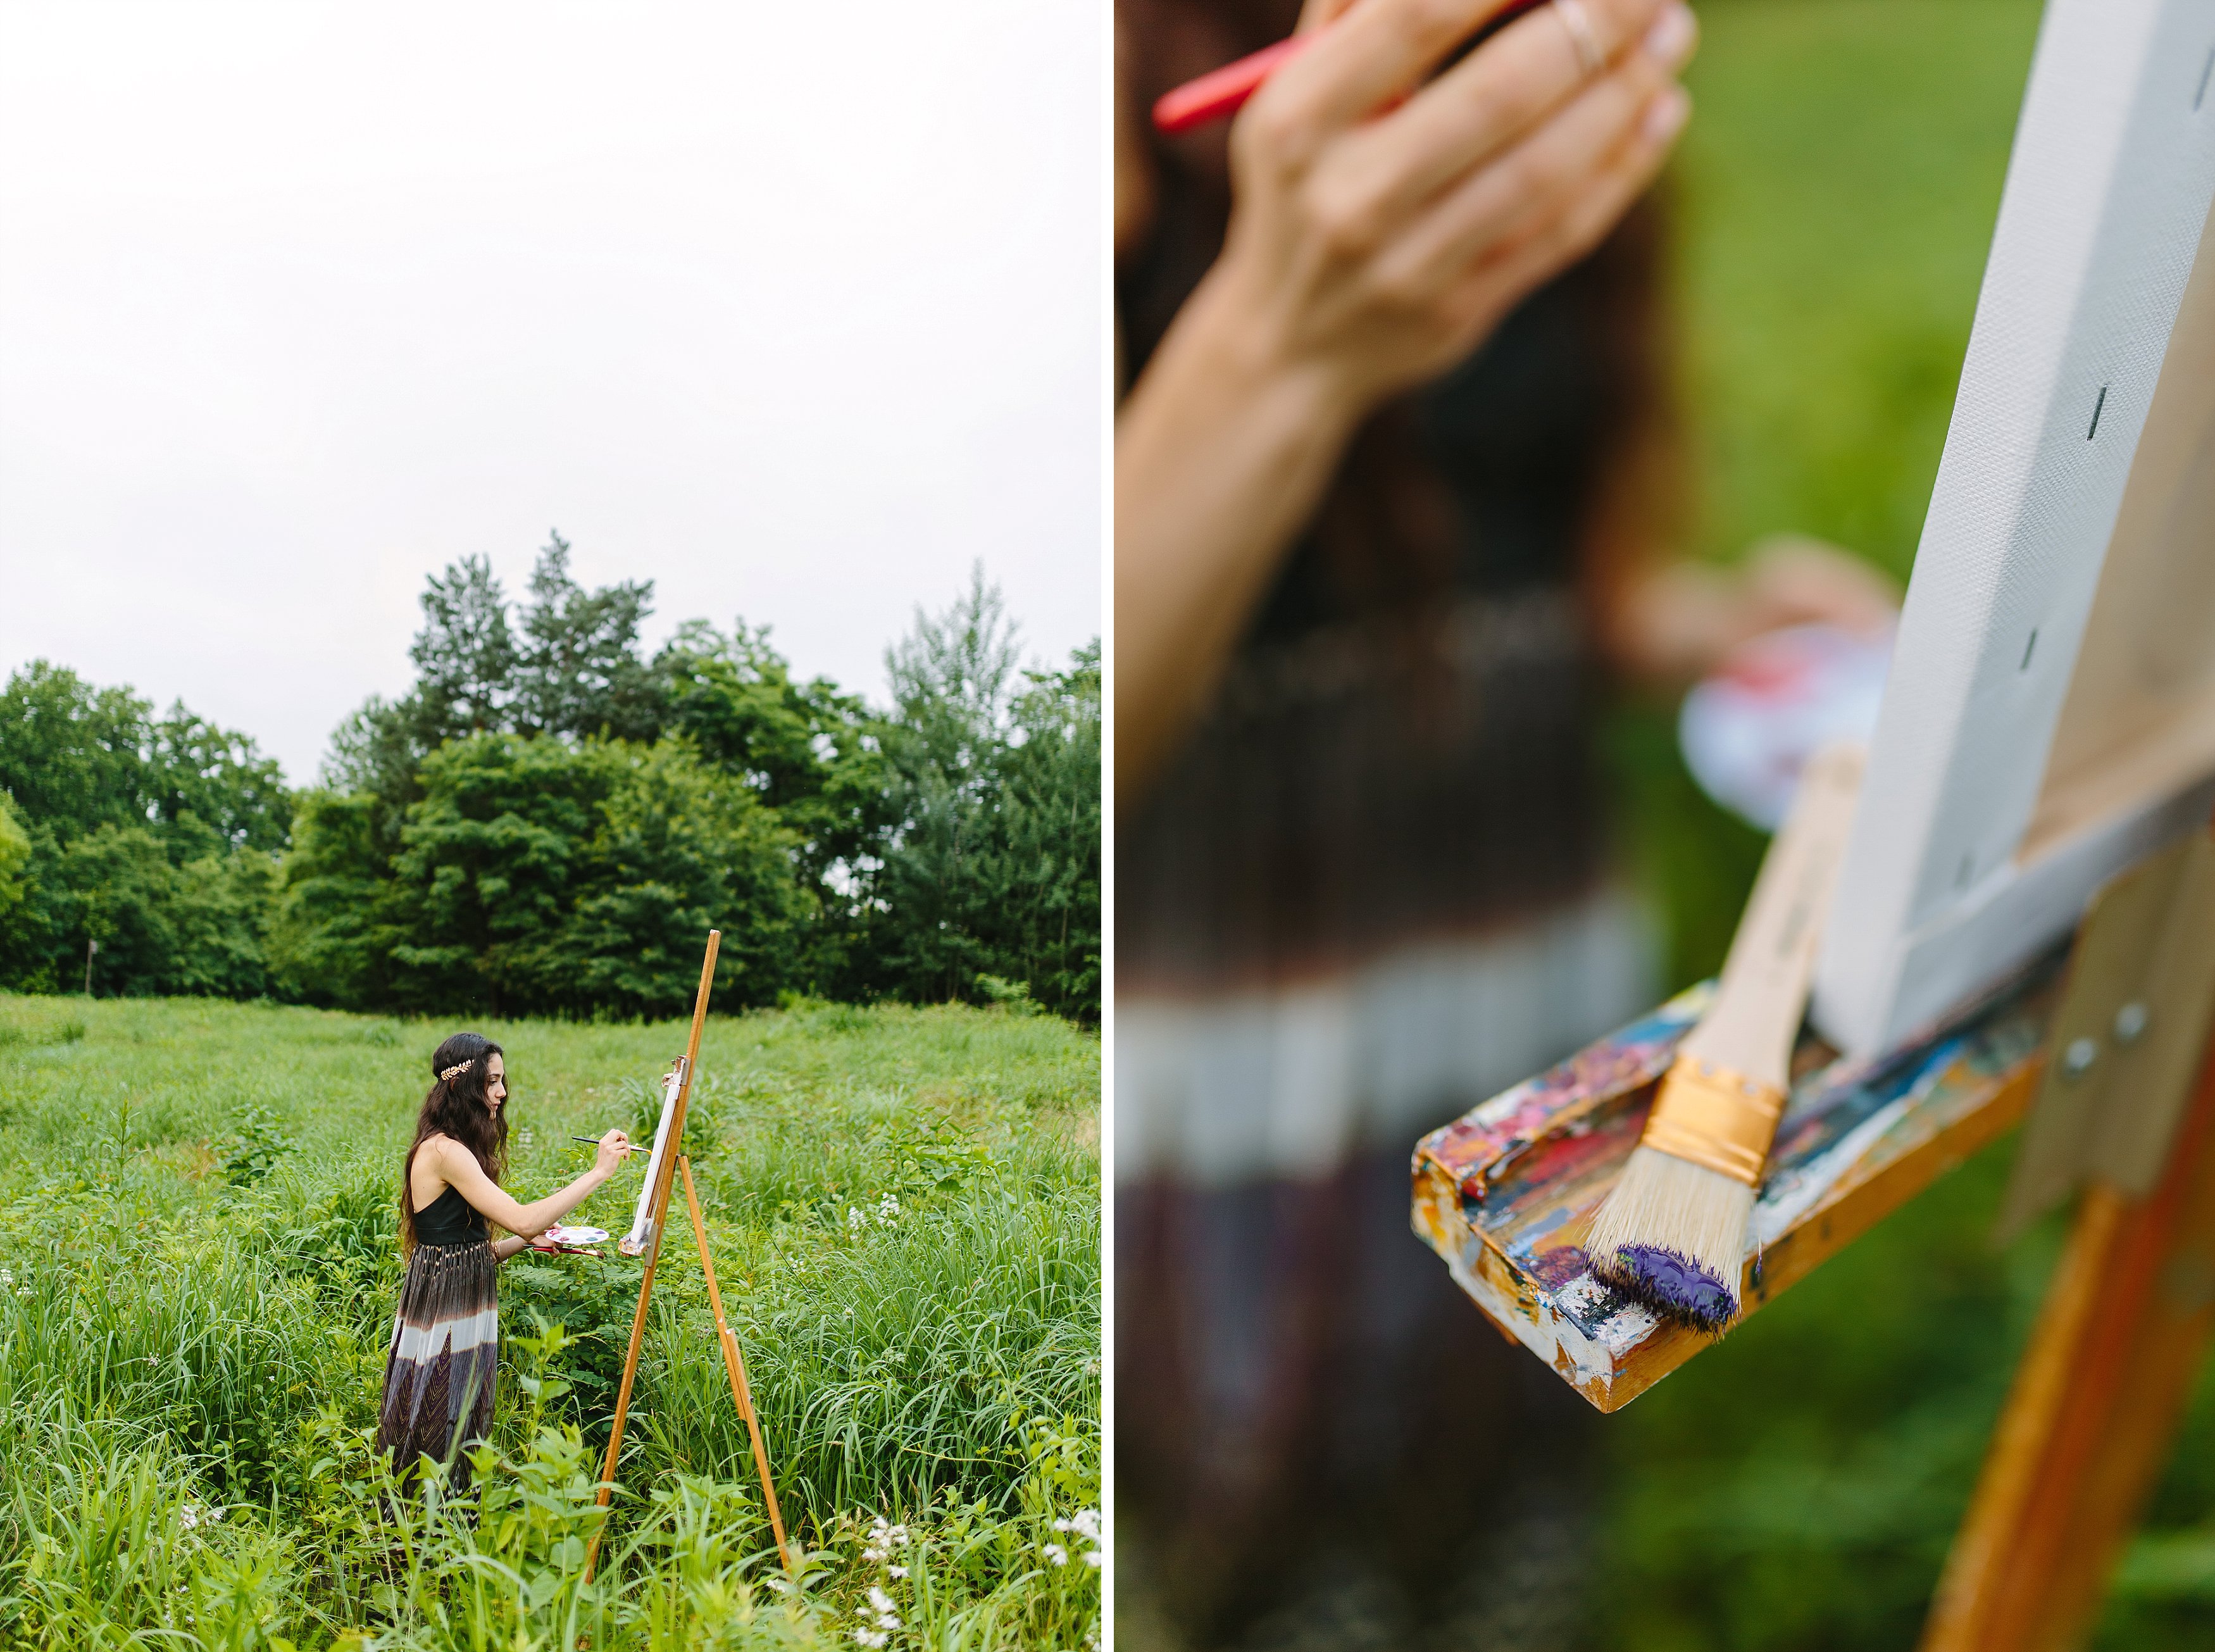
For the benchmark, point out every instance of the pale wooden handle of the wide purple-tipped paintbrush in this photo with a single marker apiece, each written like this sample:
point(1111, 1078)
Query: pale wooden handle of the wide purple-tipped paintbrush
point(1764, 991)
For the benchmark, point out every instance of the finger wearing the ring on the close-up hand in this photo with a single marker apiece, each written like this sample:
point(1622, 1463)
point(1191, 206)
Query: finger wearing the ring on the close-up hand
point(1501, 92)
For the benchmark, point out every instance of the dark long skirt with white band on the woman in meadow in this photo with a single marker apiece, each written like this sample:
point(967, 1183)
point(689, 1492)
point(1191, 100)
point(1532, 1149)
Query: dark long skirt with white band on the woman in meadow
point(446, 1348)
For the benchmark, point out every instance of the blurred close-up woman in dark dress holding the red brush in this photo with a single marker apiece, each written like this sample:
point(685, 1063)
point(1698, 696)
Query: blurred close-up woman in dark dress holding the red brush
point(1397, 484)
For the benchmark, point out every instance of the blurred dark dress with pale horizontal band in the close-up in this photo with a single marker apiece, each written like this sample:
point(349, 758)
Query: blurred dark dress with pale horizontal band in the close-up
point(1374, 887)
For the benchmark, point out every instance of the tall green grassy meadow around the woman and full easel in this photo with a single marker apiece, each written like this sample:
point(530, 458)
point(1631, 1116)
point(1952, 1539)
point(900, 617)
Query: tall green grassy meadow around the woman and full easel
point(198, 1274)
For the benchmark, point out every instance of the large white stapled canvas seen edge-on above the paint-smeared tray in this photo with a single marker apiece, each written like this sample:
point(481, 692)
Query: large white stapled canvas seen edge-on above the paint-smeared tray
point(2050, 714)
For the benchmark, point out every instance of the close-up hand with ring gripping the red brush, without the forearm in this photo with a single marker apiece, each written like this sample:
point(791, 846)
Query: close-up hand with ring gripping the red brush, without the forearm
point(1370, 251)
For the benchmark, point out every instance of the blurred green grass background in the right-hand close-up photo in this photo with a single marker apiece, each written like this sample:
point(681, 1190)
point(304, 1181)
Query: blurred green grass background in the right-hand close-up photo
point(1800, 1485)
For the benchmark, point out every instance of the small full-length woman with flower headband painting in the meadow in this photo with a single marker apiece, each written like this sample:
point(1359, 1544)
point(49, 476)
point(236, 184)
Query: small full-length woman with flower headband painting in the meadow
point(446, 1341)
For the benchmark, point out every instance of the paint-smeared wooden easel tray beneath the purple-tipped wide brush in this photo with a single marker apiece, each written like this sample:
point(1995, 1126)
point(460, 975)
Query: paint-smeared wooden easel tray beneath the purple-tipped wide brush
point(1507, 1190)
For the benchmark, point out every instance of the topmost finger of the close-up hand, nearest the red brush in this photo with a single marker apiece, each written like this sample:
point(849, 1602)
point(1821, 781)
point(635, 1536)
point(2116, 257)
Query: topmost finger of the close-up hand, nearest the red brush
point(1374, 52)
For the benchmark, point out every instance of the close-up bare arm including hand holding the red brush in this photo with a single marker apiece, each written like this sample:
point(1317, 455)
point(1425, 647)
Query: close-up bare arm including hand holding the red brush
point(1366, 256)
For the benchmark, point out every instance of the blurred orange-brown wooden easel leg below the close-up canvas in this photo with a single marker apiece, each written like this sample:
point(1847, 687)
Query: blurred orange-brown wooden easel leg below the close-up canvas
point(2094, 1410)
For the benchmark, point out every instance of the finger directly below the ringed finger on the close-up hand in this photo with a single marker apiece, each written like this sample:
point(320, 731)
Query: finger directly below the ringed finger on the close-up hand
point(1536, 180)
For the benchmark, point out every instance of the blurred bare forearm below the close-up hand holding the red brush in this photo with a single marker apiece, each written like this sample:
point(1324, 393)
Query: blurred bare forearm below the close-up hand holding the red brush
point(1222, 455)
